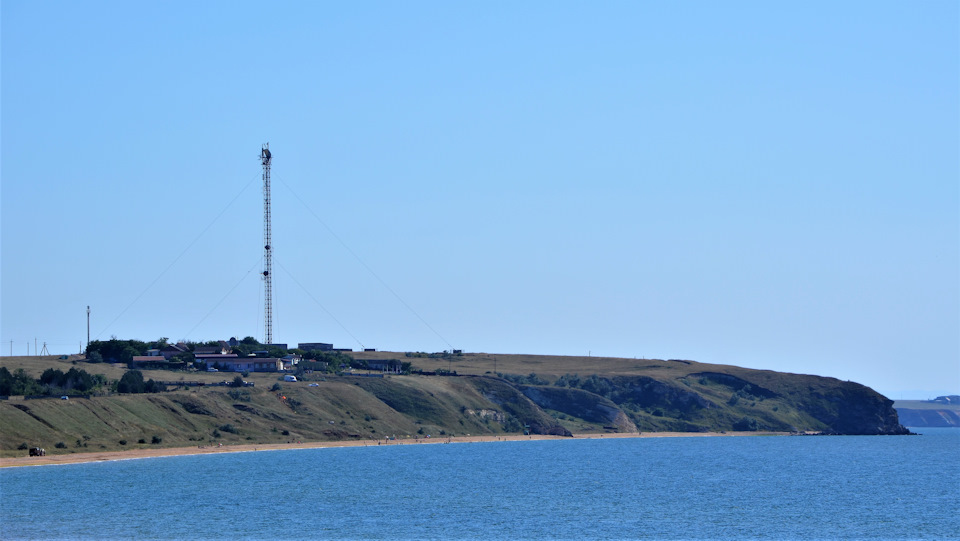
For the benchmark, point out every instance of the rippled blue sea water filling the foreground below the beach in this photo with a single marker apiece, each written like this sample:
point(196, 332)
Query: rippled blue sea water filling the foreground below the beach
point(871, 487)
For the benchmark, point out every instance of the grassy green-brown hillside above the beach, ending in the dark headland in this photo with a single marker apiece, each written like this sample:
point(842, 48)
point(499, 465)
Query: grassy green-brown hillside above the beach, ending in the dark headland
point(490, 394)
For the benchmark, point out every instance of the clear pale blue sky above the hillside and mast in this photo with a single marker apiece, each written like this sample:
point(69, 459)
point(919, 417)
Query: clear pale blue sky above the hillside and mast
point(766, 184)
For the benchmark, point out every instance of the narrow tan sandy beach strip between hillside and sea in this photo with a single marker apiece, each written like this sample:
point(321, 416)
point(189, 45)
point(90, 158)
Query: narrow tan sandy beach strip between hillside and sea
point(108, 456)
